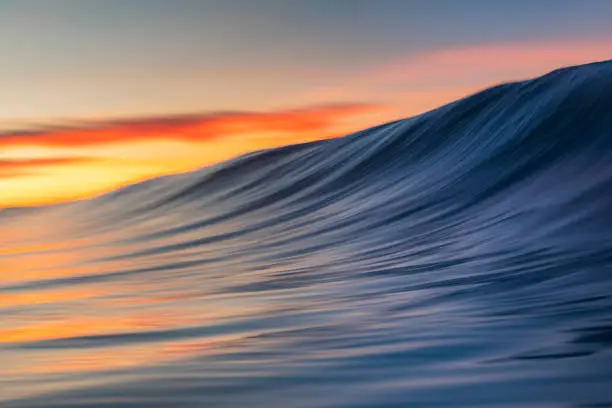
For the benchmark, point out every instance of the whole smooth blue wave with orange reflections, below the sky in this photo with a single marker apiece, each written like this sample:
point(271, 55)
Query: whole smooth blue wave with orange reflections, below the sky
point(461, 258)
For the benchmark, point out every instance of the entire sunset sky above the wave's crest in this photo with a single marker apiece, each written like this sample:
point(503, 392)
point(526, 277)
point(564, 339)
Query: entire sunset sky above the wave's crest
point(98, 94)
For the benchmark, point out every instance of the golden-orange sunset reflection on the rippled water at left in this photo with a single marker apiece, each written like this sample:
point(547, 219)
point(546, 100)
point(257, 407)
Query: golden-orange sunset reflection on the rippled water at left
point(69, 308)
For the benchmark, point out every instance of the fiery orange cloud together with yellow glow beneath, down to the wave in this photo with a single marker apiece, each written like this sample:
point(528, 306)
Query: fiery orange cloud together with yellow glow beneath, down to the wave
point(66, 163)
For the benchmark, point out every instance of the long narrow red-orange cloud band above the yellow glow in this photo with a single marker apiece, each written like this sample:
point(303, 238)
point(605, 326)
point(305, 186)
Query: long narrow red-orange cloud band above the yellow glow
point(205, 127)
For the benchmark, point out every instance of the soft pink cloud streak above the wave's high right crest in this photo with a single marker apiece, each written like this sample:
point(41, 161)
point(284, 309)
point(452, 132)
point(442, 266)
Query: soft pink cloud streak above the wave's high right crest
point(420, 82)
